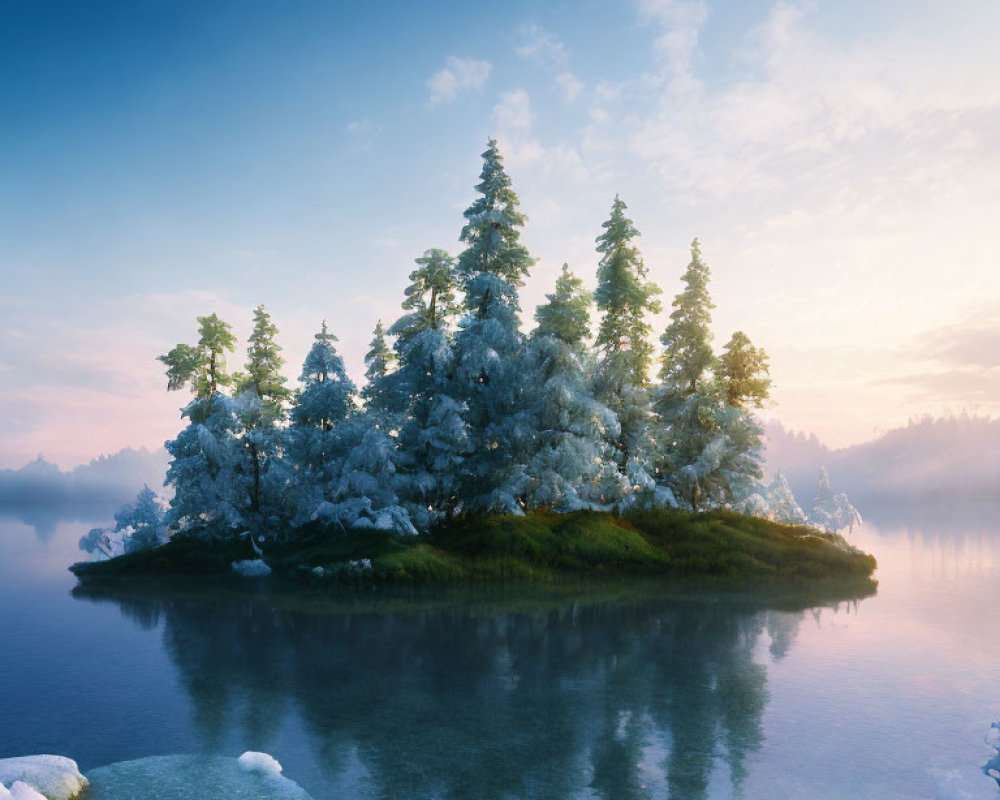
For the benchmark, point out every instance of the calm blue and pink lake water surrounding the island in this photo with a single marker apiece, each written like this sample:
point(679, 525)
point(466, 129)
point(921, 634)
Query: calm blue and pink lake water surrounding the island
point(503, 695)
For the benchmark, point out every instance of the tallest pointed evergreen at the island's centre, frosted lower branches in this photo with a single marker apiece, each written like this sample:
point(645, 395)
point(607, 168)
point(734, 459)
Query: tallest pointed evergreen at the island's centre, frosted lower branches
point(490, 378)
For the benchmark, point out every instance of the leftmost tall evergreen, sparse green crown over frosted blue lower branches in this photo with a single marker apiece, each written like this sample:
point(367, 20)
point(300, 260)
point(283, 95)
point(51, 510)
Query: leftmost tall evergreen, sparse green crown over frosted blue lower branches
point(206, 452)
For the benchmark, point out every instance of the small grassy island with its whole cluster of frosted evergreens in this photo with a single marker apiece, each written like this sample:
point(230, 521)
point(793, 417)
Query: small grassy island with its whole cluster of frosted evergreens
point(478, 452)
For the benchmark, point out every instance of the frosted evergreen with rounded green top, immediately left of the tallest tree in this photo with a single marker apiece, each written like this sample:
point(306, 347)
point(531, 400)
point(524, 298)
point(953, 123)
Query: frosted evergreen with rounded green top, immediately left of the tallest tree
point(432, 440)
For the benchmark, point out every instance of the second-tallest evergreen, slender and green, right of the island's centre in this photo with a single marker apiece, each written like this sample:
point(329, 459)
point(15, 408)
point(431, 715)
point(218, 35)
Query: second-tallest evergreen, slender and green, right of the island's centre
point(625, 295)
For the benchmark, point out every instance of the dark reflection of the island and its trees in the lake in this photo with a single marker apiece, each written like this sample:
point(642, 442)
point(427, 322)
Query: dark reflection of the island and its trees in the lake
point(650, 697)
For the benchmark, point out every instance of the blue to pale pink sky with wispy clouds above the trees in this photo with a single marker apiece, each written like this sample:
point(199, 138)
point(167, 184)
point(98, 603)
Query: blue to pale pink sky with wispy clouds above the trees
point(164, 159)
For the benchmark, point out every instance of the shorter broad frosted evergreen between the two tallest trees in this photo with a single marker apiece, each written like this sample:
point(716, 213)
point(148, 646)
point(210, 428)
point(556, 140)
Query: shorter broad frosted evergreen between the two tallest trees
point(567, 469)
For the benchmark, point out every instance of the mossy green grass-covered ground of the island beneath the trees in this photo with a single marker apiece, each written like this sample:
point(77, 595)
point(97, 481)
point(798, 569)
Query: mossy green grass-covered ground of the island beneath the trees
point(540, 547)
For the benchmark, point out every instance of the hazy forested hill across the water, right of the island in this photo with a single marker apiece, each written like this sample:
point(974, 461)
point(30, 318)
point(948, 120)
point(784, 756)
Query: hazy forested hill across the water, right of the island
point(952, 459)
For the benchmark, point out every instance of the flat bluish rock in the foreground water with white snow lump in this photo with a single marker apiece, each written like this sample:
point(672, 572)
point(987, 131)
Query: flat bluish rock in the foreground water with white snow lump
point(181, 777)
